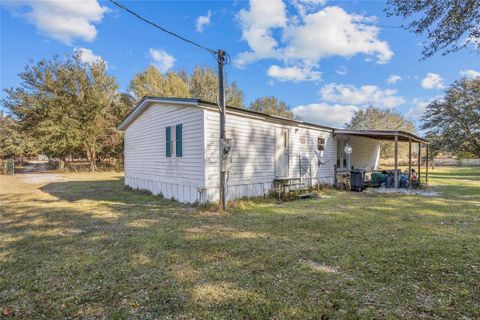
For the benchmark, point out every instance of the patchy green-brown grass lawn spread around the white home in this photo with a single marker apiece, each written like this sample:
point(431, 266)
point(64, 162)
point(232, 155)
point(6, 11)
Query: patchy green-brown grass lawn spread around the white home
point(84, 247)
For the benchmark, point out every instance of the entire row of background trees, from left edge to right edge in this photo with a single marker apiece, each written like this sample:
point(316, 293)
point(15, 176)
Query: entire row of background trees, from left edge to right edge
point(65, 108)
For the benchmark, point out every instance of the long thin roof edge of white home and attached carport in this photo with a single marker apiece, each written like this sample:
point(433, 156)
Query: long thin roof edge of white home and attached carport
point(143, 104)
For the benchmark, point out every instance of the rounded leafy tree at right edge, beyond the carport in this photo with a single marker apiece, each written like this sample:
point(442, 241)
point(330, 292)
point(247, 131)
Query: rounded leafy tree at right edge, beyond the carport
point(453, 122)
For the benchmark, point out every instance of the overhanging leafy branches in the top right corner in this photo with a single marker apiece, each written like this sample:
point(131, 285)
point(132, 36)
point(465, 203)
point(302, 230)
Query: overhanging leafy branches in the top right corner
point(449, 25)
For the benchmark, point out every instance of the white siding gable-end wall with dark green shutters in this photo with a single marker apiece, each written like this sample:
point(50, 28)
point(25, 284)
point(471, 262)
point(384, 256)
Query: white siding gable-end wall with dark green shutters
point(146, 165)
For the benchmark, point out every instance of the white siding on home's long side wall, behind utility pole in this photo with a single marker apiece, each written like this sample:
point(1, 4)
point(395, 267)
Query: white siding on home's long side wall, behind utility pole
point(253, 154)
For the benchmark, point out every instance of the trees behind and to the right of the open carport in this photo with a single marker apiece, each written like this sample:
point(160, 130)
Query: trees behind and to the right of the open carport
point(451, 122)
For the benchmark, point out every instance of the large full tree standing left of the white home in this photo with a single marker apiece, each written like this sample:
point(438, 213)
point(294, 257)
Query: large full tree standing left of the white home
point(69, 107)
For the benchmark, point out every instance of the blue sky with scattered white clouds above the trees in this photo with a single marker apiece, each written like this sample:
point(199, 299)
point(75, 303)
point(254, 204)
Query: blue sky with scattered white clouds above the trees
point(324, 58)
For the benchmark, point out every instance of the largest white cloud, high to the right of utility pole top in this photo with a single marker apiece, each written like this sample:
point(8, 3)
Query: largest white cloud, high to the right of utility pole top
point(309, 38)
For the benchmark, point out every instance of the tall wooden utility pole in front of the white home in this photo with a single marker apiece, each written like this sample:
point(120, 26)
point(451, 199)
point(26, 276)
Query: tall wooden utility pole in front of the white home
point(221, 104)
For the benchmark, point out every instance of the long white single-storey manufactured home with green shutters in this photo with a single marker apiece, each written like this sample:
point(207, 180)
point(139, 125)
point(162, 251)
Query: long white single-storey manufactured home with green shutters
point(172, 148)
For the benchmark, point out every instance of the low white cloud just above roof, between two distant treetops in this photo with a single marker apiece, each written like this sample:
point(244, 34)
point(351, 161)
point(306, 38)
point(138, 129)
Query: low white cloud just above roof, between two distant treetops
point(325, 114)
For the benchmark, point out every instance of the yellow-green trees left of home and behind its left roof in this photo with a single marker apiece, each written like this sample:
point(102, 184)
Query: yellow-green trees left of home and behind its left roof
point(65, 108)
